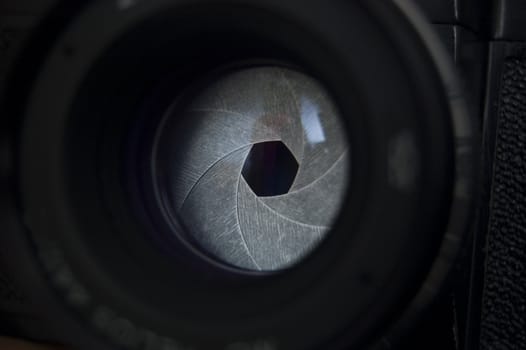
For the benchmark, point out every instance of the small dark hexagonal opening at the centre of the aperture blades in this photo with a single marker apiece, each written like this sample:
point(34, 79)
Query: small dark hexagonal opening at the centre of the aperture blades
point(270, 169)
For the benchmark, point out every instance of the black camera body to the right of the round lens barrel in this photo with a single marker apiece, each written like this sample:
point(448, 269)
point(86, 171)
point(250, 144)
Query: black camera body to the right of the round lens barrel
point(486, 39)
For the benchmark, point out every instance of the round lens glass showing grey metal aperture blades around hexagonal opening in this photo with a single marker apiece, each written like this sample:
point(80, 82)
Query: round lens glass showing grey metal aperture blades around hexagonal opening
point(252, 165)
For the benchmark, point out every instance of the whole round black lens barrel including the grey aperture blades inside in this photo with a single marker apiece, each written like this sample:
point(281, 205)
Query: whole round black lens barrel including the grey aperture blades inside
point(118, 234)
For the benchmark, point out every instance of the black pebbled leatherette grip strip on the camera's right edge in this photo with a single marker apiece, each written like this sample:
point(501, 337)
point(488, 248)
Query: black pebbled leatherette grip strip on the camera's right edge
point(504, 303)
